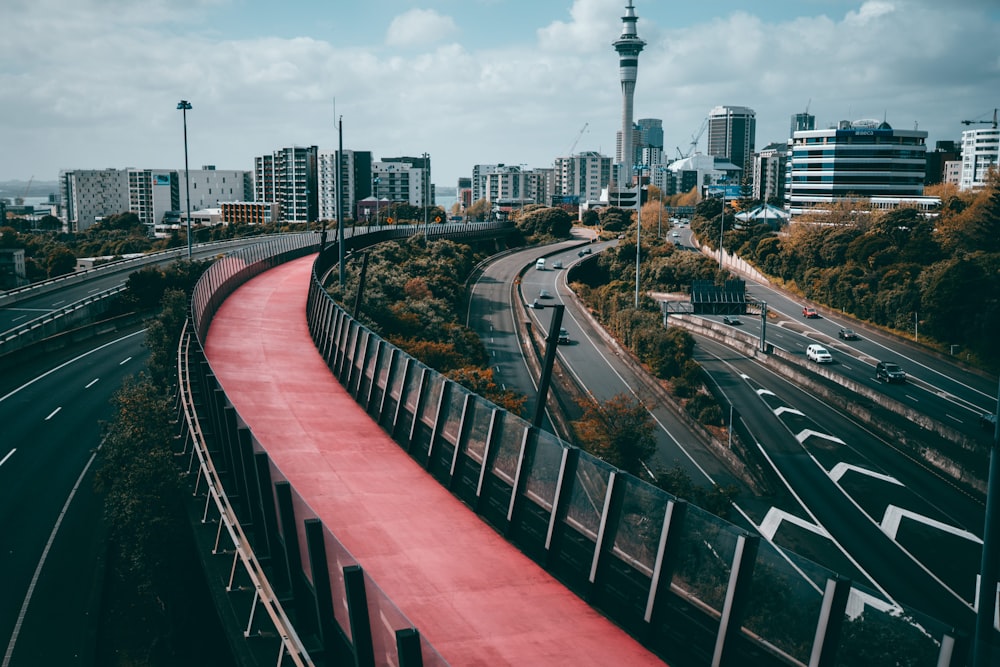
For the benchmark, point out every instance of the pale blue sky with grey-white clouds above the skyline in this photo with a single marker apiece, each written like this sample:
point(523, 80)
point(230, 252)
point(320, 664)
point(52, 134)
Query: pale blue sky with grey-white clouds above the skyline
point(91, 84)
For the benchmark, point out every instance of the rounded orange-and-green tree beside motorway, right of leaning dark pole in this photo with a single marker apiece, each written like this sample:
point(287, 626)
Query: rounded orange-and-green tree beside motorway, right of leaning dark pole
point(619, 431)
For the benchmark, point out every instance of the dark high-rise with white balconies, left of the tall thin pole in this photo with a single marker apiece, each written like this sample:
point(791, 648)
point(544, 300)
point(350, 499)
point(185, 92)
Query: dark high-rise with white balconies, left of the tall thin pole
point(289, 177)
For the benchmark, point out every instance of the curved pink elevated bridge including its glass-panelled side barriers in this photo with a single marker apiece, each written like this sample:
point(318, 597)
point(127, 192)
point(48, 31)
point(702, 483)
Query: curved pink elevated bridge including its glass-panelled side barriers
point(370, 511)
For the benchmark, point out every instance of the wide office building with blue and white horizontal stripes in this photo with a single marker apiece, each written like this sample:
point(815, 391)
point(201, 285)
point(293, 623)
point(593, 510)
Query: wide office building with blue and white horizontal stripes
point(863, 159)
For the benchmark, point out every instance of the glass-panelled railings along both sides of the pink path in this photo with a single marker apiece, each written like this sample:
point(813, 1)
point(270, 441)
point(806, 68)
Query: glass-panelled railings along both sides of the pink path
point(688, 585)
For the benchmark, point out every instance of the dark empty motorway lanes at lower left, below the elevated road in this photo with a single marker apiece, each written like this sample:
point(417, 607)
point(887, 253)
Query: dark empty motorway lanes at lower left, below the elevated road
point(51, 536)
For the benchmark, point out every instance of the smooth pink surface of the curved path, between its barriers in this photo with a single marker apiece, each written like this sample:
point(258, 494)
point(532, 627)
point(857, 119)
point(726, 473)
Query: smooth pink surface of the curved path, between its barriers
point(477, 599)
